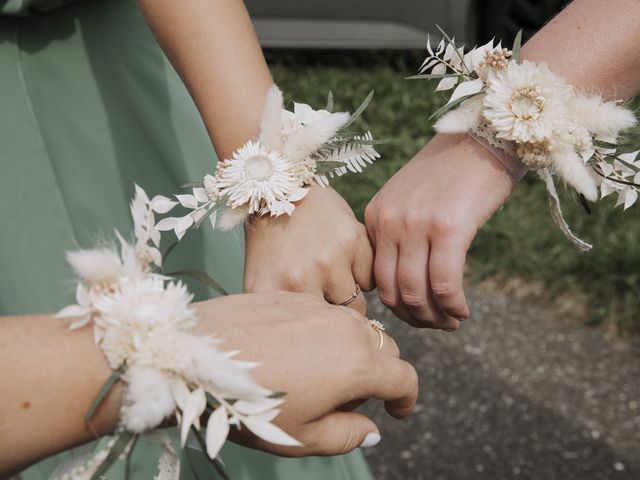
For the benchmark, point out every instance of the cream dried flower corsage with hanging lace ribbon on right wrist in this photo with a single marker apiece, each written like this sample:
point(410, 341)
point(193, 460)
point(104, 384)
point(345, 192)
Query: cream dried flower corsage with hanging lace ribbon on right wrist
point(536, 121)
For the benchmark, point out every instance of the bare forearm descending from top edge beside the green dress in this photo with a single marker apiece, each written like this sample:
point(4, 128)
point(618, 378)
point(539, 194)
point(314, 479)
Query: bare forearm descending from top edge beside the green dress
point(213, 46)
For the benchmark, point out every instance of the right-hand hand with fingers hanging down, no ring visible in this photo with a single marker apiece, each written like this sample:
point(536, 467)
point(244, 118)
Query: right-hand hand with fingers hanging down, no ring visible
point(422, 223)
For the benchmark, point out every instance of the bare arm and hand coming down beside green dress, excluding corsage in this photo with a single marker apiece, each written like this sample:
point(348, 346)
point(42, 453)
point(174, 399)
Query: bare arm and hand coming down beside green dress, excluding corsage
point(214, 48)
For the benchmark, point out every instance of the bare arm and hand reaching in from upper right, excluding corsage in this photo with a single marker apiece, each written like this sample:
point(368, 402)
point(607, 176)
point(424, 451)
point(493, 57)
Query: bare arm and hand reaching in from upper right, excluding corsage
point(424, 219)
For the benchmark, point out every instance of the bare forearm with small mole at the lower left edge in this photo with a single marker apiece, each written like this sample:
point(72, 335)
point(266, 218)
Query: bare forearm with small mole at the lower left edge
point(49, 377)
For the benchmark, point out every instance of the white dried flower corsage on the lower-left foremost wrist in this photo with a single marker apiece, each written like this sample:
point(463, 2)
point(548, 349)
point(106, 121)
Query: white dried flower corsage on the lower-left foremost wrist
point(142, 321)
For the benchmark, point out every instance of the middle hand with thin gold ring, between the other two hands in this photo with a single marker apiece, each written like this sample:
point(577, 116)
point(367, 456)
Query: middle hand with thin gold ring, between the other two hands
point(321, 249)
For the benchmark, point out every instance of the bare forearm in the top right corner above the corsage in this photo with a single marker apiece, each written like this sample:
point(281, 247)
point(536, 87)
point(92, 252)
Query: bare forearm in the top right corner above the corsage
point(594, 45)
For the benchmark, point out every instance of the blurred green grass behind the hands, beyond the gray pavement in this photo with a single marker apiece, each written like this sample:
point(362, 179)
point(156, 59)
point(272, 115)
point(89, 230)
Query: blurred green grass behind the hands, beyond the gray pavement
point(521, 240)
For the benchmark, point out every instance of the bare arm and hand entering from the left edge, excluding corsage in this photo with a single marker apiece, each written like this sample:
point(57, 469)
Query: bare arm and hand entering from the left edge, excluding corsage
point(47, 390)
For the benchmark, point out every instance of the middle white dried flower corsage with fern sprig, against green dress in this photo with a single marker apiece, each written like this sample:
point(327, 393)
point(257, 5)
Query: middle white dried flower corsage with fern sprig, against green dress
point(272, 172)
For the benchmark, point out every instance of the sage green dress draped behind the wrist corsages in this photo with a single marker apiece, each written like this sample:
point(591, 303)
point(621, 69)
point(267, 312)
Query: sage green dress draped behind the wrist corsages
point(88, 106)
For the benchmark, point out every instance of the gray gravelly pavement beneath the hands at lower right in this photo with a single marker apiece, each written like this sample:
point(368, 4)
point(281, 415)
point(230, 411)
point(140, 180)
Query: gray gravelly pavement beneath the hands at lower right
point(516, 393)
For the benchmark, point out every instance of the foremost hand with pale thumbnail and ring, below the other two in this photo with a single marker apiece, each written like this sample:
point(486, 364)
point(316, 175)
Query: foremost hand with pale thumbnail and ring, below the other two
point(325, 358)
